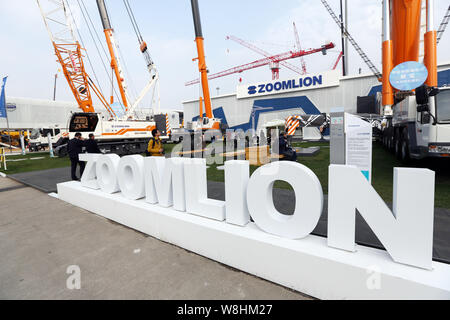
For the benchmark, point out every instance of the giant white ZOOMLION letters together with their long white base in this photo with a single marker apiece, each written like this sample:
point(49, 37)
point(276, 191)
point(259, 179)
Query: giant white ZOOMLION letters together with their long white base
point(168, 199)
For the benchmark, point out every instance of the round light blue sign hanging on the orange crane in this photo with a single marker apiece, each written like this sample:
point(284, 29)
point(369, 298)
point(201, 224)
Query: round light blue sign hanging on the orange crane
point(408, 76)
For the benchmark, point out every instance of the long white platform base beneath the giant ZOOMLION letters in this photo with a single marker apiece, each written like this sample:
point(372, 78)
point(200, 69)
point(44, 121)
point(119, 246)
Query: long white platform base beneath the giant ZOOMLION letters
point(308, 266)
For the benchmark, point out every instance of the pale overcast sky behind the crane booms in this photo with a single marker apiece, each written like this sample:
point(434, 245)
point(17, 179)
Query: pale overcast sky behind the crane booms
point(27, 55)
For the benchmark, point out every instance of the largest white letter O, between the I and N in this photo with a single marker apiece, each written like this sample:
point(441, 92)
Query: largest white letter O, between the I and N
point(308, 195)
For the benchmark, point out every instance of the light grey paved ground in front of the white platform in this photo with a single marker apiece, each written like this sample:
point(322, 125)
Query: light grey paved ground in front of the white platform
point(40, 237)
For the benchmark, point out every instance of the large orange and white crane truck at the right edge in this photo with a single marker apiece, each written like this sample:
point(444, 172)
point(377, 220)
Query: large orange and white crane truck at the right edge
point(417, 123)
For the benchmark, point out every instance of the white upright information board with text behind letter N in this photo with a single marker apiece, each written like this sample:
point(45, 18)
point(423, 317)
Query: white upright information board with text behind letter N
point(358, 144)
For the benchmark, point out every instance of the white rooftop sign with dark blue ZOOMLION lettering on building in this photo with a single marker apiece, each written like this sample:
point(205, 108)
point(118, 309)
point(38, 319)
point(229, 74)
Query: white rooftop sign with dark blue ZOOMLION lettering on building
point(308, 82)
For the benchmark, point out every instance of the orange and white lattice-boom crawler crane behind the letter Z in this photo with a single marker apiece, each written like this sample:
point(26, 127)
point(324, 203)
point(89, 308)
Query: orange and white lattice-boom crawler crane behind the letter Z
point(122, 134)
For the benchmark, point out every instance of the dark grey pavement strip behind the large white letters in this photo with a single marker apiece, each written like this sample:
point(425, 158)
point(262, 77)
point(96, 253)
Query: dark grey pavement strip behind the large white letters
point(284, 201)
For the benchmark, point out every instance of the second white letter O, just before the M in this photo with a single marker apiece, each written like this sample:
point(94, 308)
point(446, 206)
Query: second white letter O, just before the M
point(130, 175)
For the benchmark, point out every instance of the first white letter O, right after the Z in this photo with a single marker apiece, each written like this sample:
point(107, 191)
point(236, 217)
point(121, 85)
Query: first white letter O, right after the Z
point(107, 173)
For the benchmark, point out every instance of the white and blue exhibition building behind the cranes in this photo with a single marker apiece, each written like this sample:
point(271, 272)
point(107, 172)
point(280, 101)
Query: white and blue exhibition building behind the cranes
point(315, 99)
